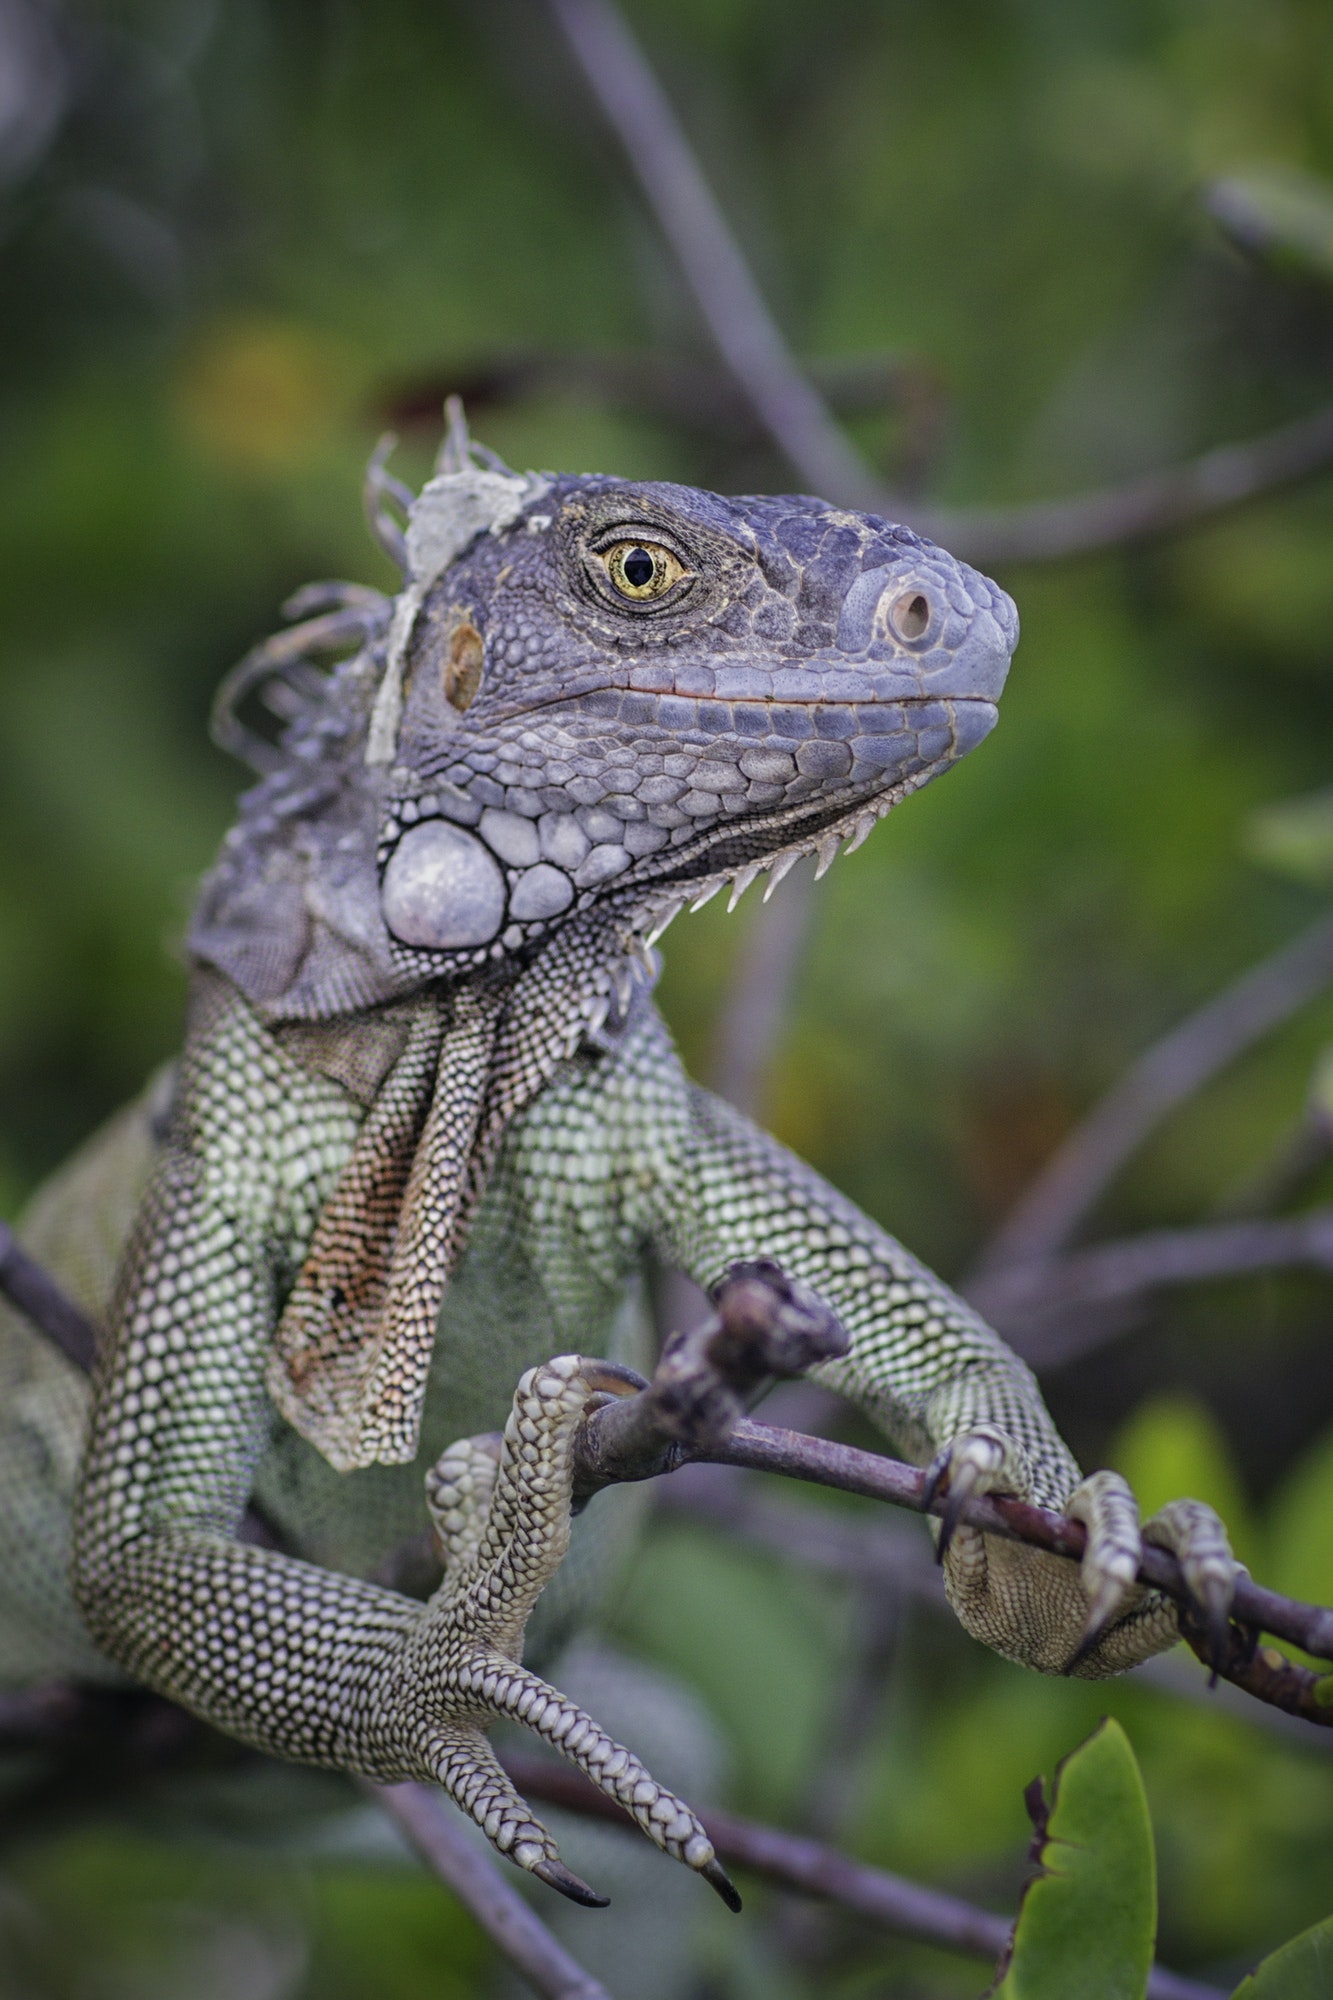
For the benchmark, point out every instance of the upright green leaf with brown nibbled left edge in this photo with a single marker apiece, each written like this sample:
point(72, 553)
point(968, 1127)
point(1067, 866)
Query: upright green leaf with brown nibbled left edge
point(1088, 1923)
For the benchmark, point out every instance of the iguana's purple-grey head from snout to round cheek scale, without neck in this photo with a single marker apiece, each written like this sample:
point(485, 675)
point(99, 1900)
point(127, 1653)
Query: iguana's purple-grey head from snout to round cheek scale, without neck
point(627, 693)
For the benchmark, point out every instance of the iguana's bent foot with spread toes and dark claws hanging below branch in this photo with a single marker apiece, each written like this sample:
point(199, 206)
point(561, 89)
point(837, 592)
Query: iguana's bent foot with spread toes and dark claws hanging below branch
point(501, 1511)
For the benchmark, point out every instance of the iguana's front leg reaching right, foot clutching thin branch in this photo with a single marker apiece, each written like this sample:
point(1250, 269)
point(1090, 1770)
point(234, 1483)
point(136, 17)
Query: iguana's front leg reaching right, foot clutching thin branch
point(952, 1395)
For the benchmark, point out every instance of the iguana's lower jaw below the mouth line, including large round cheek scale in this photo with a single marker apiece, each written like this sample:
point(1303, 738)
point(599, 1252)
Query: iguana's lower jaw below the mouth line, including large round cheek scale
point(491, 883)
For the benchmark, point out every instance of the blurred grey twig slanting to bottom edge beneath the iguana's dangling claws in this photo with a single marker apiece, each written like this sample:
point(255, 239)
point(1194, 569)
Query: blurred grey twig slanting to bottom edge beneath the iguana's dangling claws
point(441, 1839)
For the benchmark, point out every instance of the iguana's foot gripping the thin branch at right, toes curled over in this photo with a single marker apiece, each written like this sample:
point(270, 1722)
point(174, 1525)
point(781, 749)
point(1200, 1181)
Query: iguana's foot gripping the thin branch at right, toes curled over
point(1044, 1613)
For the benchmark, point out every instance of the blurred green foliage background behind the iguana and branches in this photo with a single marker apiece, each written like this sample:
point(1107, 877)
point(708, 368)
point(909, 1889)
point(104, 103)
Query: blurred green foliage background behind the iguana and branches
point(1028, 249)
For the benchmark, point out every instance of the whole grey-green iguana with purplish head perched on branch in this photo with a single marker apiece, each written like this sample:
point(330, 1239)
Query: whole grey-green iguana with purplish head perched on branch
point(429, 1125)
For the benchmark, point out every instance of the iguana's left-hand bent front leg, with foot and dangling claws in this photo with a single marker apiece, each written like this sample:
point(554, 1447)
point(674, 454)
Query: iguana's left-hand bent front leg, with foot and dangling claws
point(299, 1661)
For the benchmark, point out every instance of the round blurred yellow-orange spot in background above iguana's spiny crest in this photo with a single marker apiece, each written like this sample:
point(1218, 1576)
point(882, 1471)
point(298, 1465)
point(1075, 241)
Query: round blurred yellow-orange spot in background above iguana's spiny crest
point(261, 393)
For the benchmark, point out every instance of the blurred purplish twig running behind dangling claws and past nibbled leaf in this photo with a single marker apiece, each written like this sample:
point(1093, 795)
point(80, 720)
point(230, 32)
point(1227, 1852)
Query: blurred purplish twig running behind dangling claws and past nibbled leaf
point(904, 1907)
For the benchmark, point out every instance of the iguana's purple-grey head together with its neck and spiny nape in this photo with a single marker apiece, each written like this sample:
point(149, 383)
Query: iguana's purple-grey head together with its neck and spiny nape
point(591, 703)
